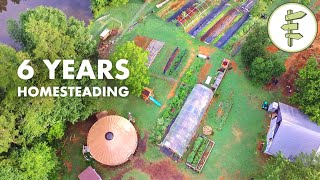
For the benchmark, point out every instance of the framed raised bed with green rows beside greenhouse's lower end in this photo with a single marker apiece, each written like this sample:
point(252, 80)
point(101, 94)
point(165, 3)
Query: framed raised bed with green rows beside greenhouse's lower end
point(199, 154)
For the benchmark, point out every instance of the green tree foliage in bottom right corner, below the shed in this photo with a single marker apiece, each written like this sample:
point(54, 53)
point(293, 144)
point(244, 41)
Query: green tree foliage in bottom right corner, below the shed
point(304, 167)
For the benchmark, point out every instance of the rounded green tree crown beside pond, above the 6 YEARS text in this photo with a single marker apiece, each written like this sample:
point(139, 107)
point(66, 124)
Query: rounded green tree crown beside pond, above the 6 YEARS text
point(46, 32)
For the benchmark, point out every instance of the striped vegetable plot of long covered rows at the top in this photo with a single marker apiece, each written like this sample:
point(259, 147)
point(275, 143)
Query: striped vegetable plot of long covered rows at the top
point(219, 24)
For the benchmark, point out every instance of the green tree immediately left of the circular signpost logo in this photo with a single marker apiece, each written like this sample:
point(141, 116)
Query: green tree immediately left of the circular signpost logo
point(255, 45)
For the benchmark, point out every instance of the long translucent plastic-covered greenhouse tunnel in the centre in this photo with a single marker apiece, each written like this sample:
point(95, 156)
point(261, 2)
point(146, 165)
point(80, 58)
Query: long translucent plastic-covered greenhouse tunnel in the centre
point(186, 124)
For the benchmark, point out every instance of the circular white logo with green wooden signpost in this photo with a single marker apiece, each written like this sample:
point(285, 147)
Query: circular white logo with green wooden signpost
point(292, 27)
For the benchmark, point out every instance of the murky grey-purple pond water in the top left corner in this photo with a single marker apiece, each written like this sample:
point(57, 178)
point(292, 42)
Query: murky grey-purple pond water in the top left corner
point(11, 9)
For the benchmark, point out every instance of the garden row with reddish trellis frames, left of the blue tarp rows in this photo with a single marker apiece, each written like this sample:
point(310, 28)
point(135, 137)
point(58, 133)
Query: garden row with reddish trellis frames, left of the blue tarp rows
point(201, 6)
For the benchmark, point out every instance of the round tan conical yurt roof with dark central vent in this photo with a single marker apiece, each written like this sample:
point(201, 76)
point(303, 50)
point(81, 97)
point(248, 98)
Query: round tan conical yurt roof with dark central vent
point(112, 140)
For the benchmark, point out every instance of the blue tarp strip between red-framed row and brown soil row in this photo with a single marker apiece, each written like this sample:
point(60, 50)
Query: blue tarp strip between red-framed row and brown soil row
point(210, 17)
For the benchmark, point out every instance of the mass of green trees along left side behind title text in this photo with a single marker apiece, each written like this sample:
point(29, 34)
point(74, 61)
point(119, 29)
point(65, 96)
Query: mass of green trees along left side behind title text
point(32, 127)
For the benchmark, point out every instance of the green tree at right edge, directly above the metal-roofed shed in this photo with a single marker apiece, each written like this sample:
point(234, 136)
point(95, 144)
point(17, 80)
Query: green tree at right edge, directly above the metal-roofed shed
point(308, 90)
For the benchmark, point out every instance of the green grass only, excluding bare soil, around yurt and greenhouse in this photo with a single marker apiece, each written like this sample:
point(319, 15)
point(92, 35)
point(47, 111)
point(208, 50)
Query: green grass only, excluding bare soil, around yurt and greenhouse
point(234, 155)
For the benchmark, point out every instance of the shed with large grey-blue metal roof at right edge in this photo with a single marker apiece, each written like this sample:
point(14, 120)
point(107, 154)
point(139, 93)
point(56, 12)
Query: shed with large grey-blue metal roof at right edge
point(292, 133)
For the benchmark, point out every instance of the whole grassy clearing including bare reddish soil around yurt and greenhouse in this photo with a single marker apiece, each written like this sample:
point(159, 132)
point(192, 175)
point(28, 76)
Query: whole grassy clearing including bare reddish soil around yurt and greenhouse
point(235, 155)
